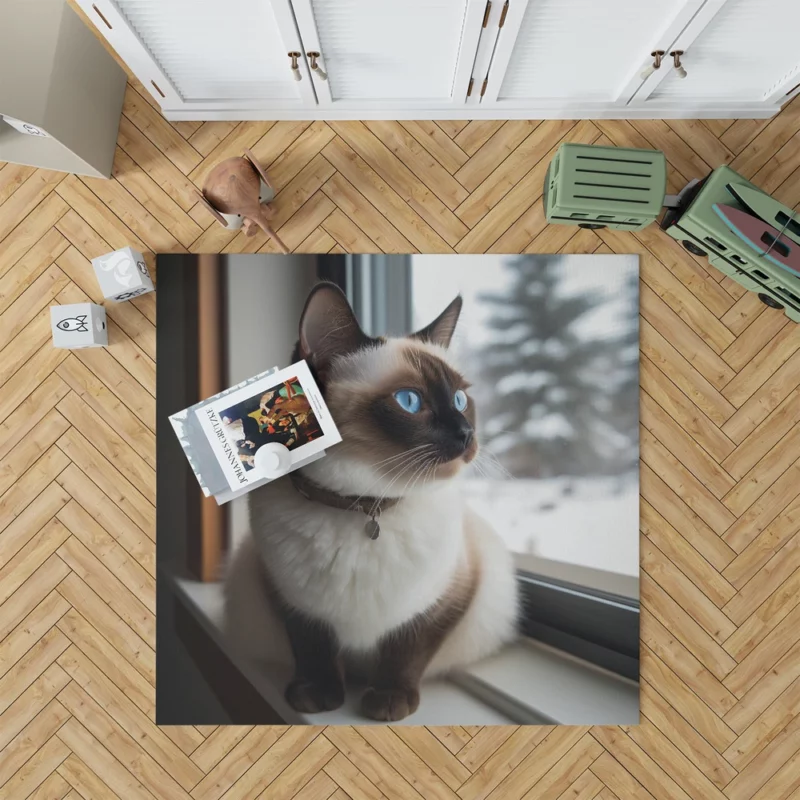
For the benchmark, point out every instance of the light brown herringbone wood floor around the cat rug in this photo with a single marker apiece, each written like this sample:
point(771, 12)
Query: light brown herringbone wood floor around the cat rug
point(720, 471)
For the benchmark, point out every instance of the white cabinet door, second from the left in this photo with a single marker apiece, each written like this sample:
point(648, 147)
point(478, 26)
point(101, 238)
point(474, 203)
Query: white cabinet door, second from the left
point(390, 54)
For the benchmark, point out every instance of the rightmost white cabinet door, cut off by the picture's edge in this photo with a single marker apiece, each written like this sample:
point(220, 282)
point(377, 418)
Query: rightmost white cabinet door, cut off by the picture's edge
point(735, 51)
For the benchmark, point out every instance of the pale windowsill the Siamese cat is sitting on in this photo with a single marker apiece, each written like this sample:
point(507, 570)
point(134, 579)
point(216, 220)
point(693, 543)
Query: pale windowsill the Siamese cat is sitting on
point(527, 683)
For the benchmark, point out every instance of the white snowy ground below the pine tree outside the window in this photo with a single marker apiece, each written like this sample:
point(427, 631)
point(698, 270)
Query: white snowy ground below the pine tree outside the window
point(595, 526)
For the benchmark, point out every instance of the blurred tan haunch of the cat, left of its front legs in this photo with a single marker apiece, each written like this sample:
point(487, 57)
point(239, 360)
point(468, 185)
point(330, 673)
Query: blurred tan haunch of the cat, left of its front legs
point(251, 625)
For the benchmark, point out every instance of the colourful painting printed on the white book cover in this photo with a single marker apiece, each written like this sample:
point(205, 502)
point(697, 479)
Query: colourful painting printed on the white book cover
point(281, 414)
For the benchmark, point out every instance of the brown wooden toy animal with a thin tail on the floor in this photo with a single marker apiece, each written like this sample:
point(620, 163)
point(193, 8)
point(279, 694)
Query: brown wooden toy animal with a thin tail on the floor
point(233, 189)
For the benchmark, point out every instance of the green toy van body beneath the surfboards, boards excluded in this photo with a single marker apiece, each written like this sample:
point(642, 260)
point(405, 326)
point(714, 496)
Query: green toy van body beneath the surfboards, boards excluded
point(702, 232)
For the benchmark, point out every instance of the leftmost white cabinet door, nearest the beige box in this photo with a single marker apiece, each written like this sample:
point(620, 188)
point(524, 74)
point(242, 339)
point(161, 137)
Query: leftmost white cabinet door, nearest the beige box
point(208, 54)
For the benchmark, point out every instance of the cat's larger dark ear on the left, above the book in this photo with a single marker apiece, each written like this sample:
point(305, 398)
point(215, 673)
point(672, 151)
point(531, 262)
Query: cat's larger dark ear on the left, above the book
point(328, 327)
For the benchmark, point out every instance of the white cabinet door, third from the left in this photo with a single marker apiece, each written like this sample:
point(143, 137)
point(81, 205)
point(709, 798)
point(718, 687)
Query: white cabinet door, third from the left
point(578, 54)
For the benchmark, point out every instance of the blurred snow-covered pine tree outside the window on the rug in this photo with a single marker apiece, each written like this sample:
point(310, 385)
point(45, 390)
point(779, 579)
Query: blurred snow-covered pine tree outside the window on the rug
point(548, 406)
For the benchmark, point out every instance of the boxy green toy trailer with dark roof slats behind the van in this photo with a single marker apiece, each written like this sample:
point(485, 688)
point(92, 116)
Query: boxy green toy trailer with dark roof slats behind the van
point(598, 187)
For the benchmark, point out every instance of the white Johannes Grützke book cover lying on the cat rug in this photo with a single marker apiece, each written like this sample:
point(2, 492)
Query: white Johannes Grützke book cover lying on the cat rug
point(285, 407)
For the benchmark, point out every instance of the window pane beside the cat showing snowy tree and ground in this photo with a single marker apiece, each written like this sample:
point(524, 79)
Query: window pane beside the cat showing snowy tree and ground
point(549, 342)
